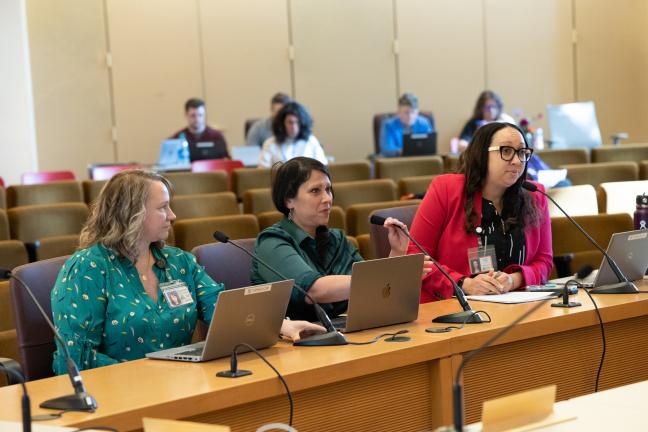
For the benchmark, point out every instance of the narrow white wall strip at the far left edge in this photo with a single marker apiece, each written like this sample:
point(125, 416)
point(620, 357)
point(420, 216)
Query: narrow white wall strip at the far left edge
point(17, 145)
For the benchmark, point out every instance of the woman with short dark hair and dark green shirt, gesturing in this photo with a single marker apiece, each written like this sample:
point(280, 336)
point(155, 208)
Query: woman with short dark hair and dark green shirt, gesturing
point(303, 248)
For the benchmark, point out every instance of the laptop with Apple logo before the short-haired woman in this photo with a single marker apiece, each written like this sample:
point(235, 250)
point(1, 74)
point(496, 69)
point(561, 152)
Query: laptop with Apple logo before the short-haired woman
point(383, 292)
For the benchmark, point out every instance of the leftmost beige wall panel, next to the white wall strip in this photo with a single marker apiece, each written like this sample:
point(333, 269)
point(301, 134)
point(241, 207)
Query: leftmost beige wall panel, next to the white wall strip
point(71, 85)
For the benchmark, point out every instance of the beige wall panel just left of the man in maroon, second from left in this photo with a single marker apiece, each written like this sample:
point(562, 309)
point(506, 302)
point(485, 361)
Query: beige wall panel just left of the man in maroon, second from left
point(156, 68)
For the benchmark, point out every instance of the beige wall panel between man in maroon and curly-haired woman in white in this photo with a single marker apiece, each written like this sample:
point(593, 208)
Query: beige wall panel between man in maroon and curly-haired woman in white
point(245, 54)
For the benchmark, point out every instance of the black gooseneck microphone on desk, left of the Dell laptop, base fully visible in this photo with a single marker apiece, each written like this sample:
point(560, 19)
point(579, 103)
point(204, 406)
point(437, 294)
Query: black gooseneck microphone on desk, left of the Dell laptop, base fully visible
point(80, 400)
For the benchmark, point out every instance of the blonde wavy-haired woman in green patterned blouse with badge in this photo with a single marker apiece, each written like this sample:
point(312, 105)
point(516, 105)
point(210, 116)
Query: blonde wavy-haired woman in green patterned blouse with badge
point(111, 302)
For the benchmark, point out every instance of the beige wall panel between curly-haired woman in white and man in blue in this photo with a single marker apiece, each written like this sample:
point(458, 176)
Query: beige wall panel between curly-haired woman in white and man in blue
point(345, 70)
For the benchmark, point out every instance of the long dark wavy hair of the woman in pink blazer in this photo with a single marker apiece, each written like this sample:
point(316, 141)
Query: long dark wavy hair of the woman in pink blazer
point(519, 208)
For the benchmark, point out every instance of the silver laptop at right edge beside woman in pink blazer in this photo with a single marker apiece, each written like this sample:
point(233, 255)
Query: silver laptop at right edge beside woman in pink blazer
point(629, 250)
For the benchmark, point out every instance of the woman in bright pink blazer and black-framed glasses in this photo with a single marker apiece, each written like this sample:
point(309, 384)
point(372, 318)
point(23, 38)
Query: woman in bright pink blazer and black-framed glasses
point(490, 234)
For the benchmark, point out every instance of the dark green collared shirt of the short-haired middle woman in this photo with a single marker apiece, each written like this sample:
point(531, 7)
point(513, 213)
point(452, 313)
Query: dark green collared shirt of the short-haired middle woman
point(292, 252)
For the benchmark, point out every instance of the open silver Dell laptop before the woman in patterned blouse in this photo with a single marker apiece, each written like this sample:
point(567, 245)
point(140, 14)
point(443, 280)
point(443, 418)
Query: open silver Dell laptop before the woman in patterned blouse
point(252, 315)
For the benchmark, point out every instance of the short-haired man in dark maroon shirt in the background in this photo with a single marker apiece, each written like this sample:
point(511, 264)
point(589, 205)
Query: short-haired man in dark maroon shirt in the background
point(204, 142)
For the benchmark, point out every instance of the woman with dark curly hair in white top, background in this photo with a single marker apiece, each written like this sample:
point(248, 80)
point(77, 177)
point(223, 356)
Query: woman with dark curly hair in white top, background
point(292, 137)
